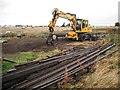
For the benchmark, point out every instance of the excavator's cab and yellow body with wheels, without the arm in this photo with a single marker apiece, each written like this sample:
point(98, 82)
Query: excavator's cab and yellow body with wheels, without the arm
point(82, 30)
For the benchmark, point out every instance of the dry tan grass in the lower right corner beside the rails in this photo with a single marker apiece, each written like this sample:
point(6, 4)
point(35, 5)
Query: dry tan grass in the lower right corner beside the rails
point(105, 76)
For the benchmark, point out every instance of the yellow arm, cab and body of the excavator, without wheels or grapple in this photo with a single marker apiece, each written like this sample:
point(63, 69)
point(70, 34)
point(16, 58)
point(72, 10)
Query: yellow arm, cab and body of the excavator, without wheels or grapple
point(79, 25)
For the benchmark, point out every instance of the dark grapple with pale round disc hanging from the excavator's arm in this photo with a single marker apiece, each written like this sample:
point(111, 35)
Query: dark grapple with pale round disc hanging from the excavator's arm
point(52, 39)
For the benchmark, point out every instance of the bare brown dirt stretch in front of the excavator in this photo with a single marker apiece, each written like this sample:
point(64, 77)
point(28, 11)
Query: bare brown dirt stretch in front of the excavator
point(39, 44)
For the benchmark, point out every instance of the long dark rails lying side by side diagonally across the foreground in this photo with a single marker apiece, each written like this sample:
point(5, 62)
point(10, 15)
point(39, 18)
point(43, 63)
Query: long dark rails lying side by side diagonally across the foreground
point(40, 74)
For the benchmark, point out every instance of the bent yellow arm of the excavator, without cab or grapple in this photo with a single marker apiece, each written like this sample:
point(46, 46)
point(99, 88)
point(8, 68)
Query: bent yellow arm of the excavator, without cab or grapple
point(56, 14)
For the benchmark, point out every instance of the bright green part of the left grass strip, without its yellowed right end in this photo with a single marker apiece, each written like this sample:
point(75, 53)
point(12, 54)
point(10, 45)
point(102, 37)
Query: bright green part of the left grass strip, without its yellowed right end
point(18, 58)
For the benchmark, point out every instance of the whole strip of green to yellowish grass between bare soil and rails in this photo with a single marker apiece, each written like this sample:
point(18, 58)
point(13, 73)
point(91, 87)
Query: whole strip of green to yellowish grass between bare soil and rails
point(23, 57)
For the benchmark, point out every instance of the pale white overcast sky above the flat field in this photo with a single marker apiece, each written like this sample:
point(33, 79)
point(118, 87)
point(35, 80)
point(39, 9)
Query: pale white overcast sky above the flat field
point(38, 12)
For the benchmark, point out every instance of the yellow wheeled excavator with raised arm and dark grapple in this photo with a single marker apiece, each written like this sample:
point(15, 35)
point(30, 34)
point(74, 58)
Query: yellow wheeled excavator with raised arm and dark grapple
point(81, 29)
